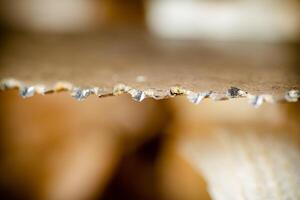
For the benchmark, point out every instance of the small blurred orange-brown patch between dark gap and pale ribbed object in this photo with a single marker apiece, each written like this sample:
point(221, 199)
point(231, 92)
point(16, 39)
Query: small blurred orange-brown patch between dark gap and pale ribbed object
point(177, 179)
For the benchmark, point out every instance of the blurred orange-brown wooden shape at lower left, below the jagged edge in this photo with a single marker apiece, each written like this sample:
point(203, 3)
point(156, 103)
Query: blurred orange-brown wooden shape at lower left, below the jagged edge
point(54, 147)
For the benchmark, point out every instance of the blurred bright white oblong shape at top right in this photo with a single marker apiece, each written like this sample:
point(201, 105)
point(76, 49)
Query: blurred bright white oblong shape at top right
point(226, 20)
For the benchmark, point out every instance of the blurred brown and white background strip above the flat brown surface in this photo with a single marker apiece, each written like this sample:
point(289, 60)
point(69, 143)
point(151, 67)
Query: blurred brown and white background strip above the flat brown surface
point(224, 20)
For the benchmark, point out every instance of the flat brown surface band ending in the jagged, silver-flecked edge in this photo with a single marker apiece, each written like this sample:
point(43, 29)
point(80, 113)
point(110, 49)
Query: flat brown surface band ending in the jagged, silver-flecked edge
point(110, 58)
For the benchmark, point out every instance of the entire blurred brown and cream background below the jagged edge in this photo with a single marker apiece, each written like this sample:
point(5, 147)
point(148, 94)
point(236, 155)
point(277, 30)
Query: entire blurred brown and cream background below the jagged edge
point(54, 147)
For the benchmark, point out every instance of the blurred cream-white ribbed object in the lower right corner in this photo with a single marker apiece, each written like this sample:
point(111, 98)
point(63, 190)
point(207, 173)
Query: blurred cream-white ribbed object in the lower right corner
point(247, 162)
